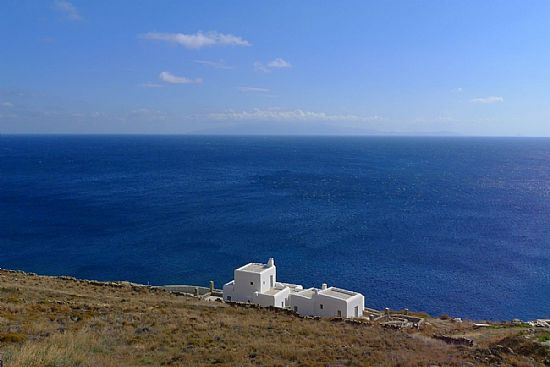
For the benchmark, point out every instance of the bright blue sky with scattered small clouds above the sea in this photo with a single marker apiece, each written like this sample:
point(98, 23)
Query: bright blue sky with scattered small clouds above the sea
point(413, 67)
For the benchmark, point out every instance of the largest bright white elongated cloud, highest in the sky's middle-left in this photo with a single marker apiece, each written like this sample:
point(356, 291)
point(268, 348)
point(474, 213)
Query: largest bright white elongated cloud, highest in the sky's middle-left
point(198, 40)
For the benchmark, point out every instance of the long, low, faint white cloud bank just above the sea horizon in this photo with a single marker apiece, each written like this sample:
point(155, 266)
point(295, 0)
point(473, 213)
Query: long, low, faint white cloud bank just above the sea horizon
point(286, 115)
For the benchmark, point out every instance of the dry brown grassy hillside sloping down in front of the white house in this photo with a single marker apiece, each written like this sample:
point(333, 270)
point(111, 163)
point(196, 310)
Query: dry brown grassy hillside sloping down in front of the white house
point(56, 322)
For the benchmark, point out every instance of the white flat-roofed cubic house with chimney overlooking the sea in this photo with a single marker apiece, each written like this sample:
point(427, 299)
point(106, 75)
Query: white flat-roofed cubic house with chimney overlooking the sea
point(257, 283)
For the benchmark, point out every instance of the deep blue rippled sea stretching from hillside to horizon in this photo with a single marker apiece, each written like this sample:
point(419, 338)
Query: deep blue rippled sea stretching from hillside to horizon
point(459, 226)
